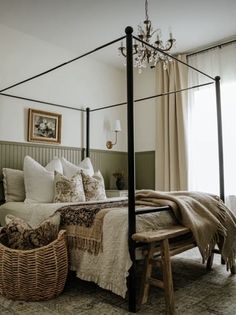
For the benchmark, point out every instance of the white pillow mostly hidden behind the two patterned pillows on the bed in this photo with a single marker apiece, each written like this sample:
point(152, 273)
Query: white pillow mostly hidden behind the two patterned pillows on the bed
point(70, 169)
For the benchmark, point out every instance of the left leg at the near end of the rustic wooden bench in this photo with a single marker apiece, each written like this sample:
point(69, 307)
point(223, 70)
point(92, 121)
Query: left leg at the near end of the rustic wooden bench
point(145, 285)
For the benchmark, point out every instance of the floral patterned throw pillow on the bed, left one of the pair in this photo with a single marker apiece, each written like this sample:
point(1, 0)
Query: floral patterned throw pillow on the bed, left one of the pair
point(68, 189)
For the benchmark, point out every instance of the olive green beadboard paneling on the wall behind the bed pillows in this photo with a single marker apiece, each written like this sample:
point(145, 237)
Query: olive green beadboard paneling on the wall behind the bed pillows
point(12, 156)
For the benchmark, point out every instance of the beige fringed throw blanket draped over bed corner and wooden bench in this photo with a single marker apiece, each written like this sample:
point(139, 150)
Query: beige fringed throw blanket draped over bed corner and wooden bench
point(210, 221)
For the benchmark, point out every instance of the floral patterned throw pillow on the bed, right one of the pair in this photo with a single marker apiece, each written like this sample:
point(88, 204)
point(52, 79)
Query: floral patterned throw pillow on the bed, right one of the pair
point(94, 187)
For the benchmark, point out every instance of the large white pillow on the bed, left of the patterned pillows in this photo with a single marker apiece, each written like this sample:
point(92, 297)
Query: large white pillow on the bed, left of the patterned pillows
point(39, 180)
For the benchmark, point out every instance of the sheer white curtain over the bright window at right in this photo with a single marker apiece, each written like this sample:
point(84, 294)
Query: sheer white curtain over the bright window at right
point(202, 127)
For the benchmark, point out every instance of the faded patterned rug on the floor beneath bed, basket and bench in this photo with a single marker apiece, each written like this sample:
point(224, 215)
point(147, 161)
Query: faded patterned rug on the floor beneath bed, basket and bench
point(197, 291)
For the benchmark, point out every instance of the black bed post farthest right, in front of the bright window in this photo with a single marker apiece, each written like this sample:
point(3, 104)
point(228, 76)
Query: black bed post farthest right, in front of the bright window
point(220, 138)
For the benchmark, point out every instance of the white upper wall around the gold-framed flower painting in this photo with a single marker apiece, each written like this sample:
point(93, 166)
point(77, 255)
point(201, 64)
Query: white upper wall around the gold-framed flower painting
point(83, 83)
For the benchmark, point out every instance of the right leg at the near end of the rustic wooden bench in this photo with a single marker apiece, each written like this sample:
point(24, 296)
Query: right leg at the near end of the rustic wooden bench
point(167, 277)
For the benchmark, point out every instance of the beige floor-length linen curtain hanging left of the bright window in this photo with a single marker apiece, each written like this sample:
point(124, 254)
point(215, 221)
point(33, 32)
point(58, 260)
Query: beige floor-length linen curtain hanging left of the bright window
point(171, 152)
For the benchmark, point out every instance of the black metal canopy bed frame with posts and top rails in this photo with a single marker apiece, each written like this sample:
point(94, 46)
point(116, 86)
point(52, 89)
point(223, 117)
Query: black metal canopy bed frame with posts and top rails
point(130, 137)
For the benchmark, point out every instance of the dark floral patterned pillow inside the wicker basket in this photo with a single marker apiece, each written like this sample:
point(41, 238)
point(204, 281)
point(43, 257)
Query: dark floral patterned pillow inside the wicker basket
point(22, 236)
